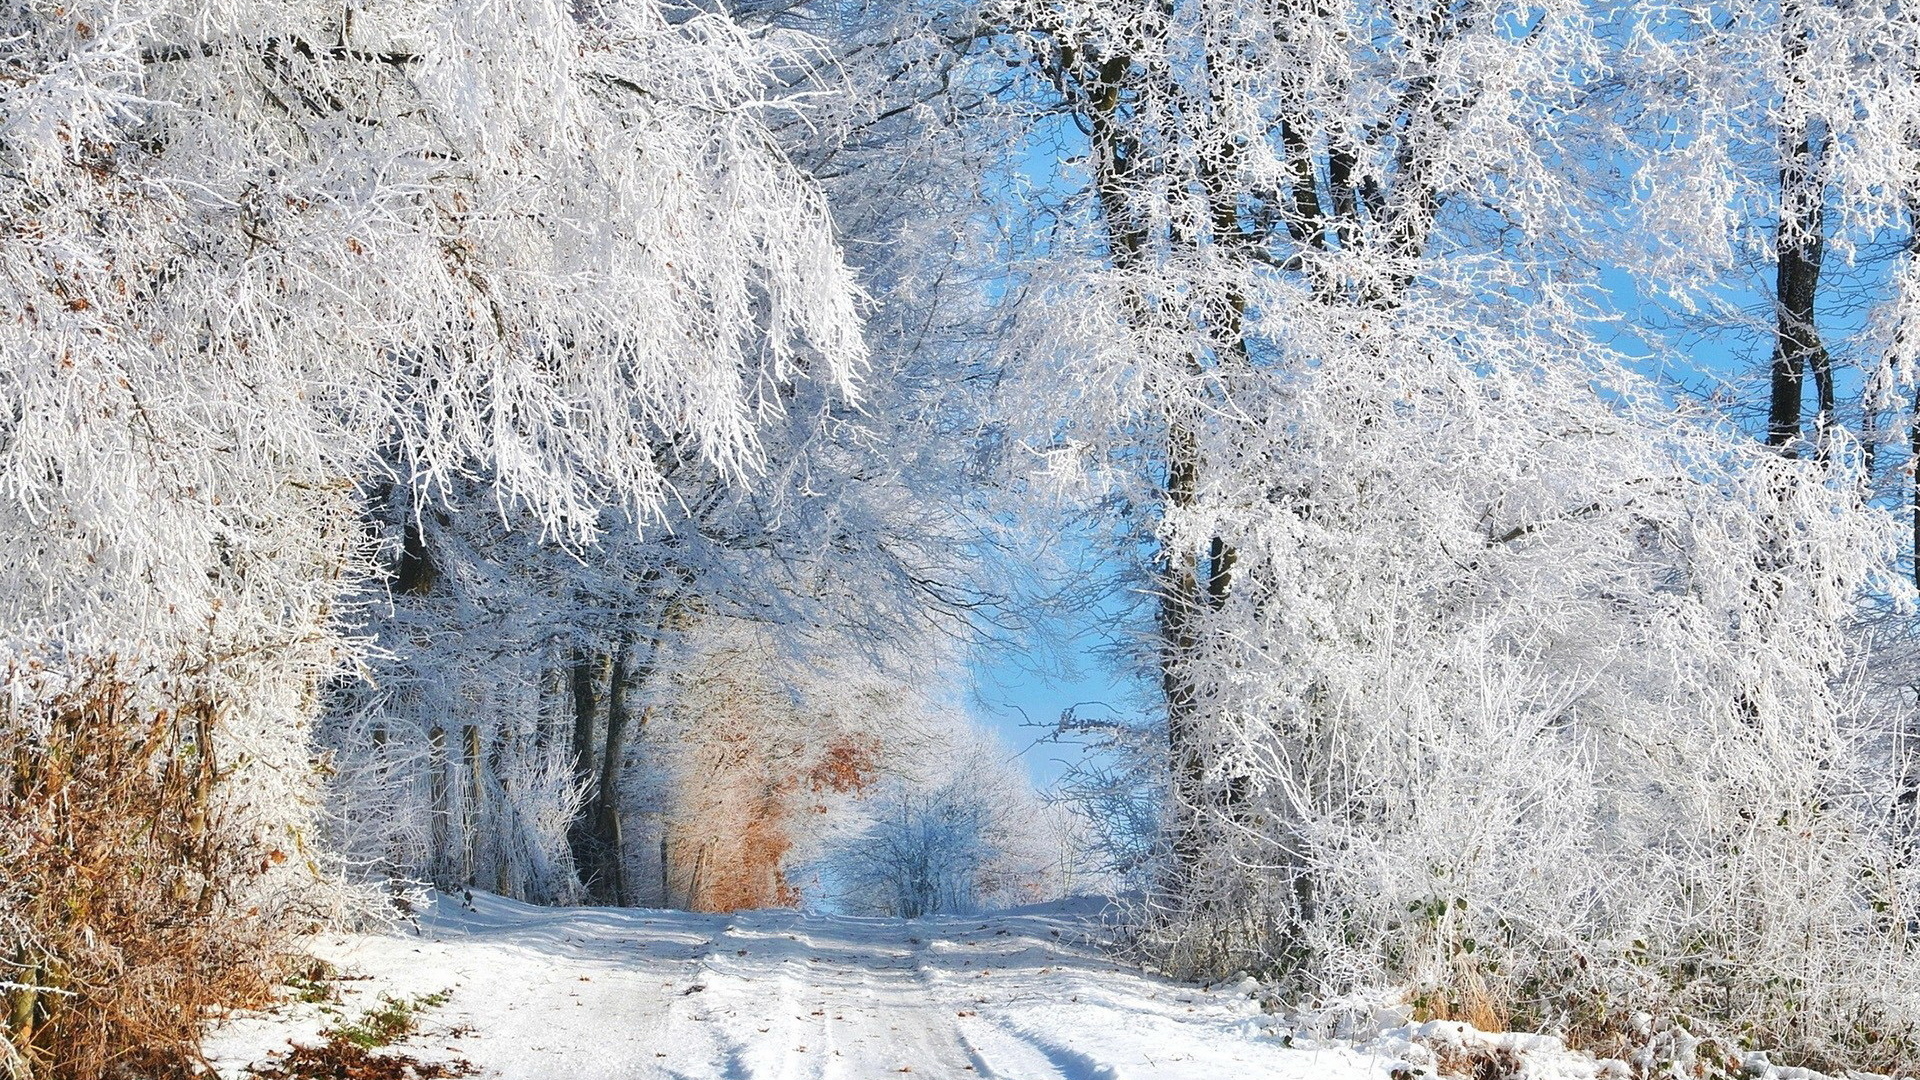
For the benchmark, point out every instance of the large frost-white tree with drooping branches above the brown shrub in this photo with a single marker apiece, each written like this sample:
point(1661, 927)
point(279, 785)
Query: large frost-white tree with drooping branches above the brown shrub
point(264, 257)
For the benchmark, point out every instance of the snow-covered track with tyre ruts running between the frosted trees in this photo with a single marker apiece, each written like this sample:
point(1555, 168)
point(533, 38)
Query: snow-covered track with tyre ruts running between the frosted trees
point(587, 994)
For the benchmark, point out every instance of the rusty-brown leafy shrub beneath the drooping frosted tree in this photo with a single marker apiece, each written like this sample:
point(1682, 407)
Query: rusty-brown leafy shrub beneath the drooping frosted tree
point(120, 883)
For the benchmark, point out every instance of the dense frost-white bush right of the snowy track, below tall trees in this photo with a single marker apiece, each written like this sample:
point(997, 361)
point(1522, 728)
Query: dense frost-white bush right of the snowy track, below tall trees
point(1541, 700)
